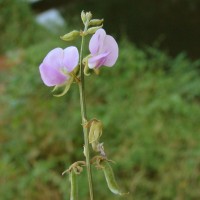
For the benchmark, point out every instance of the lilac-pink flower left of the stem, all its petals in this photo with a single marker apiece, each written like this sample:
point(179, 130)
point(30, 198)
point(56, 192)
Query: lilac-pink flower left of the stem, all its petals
point(57, 65)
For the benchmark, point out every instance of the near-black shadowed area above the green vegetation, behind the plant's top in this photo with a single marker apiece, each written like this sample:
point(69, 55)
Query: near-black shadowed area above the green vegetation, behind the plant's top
point(174, 22)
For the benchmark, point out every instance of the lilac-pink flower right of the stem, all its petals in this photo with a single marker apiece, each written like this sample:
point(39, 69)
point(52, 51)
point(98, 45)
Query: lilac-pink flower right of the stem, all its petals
point(103, 49)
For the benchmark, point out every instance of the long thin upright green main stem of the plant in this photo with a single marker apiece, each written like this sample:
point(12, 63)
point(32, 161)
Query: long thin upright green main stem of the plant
point(84, 121)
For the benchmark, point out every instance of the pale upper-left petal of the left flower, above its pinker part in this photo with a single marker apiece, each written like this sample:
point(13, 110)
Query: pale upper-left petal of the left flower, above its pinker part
point(54, 58)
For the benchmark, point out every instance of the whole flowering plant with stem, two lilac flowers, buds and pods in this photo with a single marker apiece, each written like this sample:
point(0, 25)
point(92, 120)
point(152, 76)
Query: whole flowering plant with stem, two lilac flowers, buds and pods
point(62, 67)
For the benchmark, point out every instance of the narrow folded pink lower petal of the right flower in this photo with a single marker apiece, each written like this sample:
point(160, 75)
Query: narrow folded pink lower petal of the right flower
point(97, 61)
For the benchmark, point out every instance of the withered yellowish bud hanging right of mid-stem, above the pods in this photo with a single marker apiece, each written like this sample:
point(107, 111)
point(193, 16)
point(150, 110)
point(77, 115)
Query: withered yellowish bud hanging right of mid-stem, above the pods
point(95, 131)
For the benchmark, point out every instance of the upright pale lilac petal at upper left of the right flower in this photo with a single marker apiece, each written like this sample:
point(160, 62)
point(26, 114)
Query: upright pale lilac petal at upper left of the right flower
point(97, 41)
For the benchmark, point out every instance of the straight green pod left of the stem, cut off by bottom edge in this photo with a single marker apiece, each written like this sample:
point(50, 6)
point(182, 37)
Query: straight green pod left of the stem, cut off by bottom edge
point(74, 186)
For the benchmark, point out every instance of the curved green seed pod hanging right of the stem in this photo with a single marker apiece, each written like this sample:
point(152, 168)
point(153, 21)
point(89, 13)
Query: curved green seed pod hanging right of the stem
point(110, 178)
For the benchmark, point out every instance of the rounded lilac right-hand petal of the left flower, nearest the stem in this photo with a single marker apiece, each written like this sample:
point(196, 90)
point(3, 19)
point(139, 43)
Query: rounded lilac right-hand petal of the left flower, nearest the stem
point(70, 58)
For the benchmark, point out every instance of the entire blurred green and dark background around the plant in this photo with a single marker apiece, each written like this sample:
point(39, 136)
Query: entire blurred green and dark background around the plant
point(149, 102)
